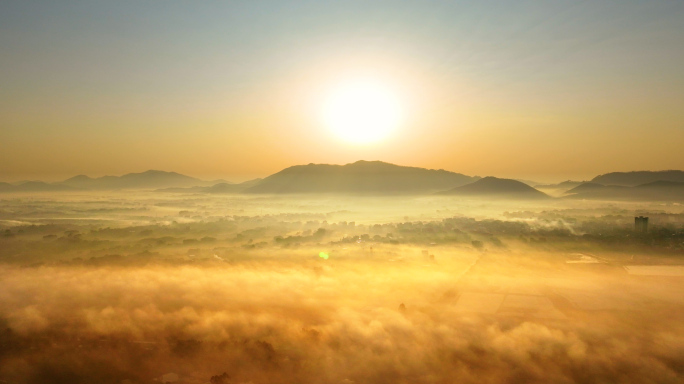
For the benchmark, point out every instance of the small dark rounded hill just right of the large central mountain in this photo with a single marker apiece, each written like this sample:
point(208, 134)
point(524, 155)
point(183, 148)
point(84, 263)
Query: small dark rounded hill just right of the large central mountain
point(495, 187)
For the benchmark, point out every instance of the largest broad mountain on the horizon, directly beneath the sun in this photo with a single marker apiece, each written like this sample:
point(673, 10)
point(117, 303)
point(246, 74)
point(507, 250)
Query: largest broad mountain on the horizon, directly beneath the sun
point(361, 177)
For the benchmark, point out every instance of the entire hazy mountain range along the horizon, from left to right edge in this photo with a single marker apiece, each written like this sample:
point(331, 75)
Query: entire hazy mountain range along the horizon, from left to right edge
point(376, 177)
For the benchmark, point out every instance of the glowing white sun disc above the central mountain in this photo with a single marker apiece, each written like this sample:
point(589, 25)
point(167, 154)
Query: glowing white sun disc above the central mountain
point(362, 112)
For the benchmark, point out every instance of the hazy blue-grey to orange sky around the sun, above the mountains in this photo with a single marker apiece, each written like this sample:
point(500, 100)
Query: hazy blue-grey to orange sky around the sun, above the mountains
point(542, 90)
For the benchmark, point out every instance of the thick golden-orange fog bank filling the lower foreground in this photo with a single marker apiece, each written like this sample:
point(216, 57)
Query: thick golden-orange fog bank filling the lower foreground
point(316, 321)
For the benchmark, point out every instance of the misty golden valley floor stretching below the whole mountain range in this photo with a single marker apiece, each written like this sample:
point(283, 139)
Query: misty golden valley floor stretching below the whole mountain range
point(148, 287)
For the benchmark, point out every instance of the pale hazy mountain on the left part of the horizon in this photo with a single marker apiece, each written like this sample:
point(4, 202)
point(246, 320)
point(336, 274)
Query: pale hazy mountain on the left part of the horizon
point(143, 180)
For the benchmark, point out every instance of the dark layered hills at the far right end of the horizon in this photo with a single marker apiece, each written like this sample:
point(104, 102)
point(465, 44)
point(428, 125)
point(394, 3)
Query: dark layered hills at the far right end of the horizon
point(654, 191)
